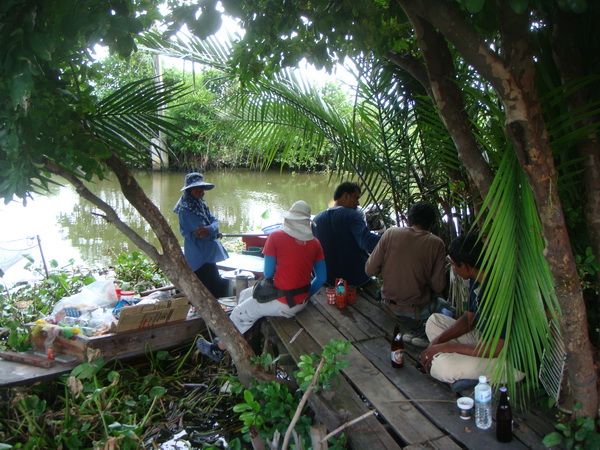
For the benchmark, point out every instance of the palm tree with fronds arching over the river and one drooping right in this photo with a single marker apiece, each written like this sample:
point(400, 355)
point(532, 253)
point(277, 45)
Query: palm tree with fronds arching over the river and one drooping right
point(396, 144)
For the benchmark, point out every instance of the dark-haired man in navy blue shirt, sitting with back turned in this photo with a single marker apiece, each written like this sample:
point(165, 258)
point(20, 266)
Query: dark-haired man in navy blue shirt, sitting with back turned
point(345, 237)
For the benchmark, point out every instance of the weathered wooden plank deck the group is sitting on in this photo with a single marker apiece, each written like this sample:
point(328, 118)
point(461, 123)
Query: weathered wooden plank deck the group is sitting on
point(414, 411)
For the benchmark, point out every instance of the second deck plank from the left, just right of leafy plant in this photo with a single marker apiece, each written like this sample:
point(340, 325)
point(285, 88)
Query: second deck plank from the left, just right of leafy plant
point(404, 418)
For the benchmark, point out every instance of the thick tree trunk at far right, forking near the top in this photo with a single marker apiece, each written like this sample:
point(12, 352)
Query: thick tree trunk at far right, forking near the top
point(514, 81)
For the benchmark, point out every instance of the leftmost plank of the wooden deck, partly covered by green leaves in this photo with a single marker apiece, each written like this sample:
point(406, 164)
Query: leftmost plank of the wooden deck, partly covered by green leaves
point(333, 408)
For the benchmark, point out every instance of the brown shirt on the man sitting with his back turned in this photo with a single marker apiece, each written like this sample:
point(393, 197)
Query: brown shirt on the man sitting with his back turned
point(412, 264)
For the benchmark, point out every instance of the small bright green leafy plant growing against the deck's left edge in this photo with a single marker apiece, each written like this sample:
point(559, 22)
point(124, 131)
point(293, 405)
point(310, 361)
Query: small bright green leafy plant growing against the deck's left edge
point(269, 407)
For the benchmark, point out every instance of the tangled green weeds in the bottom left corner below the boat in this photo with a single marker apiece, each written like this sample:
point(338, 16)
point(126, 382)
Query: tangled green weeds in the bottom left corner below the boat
point(104, 404)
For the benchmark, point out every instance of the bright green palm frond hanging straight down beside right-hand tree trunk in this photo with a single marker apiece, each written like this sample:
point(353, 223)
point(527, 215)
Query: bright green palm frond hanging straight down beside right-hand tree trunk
point(519, 286)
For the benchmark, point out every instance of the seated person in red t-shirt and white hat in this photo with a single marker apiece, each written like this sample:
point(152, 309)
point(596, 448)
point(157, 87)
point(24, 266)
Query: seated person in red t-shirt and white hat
point(292, 254)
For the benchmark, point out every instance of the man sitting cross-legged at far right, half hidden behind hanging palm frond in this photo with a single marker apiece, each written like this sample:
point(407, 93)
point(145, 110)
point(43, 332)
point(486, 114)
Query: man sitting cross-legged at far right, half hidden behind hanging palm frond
point(456, 351)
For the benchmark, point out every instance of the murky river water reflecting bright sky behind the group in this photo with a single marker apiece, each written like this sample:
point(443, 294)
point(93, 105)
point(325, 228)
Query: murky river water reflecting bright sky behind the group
point(69, 227)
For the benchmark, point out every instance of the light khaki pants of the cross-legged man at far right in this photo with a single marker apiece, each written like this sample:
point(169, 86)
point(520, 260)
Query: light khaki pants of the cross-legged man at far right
point(451, 367)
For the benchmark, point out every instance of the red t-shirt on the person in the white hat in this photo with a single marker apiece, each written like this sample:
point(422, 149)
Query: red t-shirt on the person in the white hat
point(295, 260)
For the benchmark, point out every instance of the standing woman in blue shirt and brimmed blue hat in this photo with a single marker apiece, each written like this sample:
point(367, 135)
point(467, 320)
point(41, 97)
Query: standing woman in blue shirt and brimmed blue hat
point(200, 231)
